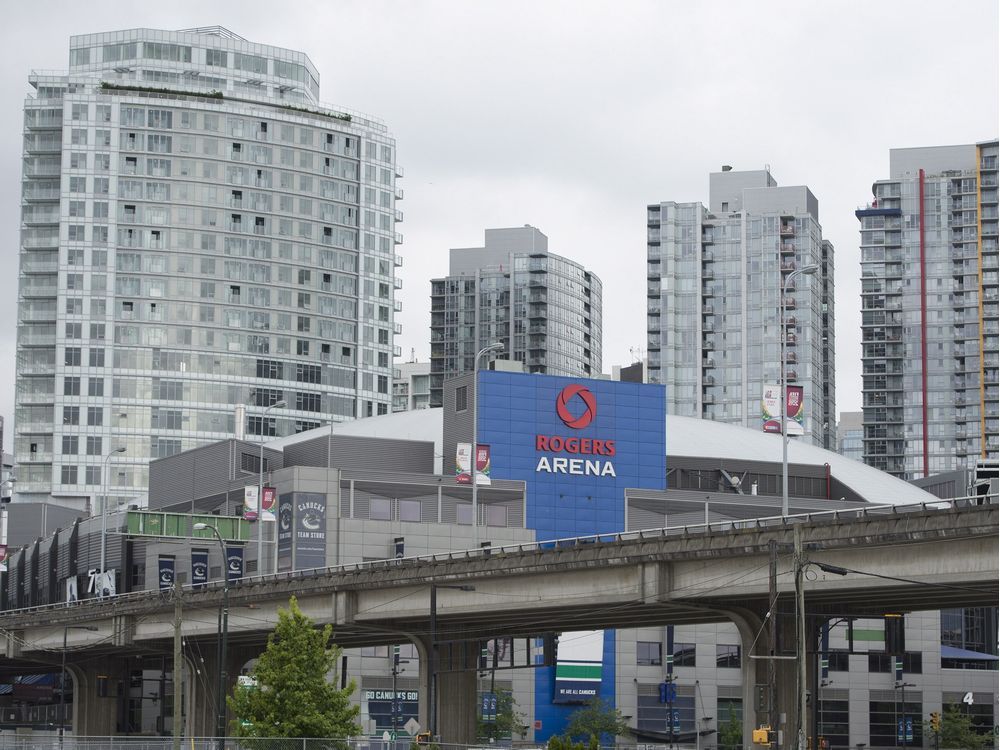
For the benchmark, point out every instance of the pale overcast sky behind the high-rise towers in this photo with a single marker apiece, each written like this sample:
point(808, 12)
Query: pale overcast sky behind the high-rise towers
point(573, 116)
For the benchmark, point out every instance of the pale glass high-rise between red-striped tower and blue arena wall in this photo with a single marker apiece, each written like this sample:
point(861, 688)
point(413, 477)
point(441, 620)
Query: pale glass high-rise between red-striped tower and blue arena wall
point(715, 277)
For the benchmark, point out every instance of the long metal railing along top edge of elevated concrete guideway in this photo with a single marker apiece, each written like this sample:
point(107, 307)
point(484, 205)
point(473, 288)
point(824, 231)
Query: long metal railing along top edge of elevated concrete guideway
point(619, 537)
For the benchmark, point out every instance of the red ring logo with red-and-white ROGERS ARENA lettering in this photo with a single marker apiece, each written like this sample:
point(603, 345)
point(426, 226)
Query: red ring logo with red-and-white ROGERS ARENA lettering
point(575, 445)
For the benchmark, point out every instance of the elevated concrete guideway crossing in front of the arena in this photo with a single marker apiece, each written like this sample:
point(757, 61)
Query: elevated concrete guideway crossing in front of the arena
point(947, 553)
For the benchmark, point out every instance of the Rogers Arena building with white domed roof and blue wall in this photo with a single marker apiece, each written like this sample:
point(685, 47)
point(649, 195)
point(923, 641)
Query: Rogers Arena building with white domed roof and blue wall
point(386, 487)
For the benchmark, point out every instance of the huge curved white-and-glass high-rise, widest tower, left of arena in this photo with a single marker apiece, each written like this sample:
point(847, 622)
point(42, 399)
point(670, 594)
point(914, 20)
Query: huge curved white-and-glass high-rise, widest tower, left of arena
point(199, 233)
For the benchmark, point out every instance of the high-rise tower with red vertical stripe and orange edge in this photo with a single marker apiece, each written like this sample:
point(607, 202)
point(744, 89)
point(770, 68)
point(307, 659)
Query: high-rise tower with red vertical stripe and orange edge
point(929, 311)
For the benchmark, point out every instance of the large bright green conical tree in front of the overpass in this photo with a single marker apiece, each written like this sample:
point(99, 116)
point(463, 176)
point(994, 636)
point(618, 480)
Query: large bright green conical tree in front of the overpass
point(293, 697)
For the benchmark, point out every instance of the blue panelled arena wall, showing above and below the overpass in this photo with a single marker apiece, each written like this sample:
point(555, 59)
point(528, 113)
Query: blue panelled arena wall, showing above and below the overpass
point(577, 444)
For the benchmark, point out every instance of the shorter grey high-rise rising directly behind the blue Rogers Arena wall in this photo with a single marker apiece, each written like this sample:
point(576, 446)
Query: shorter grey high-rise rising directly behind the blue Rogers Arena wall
point(545, 309)
